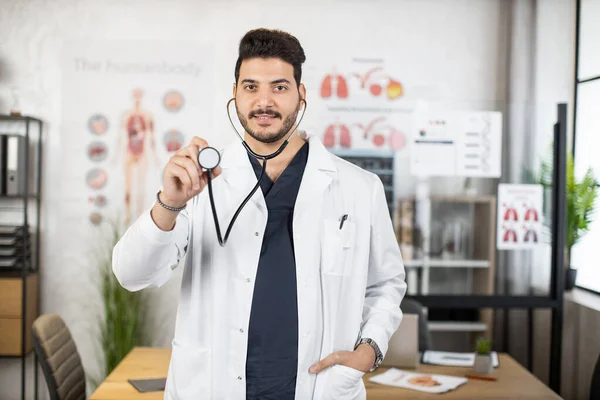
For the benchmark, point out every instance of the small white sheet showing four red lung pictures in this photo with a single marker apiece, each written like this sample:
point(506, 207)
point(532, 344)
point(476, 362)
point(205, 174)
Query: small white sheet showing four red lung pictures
point(519, 216)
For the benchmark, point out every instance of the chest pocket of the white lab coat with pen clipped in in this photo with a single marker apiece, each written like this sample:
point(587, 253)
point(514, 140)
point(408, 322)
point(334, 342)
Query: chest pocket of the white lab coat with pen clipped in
point(337, 246)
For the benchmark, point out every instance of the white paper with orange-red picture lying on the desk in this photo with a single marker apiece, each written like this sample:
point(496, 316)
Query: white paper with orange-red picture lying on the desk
point(430, 383)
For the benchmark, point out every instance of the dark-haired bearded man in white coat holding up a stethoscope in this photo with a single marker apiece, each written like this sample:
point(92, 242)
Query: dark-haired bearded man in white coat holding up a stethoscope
point(304, 297)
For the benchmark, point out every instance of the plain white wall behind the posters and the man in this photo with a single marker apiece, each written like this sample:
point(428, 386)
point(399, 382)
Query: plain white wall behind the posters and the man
point(453, 53)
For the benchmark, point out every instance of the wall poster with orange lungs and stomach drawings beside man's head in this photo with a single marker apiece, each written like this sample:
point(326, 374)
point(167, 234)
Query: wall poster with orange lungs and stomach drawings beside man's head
point(359, 104)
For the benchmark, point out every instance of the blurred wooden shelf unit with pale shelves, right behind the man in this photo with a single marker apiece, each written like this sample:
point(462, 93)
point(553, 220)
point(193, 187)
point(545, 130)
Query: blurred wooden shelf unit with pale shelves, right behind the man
point(470, 267)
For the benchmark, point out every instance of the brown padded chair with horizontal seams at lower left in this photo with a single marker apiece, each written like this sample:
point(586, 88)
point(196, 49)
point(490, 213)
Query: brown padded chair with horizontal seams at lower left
point(59, 359)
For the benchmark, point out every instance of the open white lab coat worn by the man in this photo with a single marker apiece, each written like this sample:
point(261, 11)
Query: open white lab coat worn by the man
point(350, 280)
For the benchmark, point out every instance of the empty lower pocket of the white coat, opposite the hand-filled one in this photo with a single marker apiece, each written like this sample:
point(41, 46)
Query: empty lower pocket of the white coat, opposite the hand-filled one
point(190, 372)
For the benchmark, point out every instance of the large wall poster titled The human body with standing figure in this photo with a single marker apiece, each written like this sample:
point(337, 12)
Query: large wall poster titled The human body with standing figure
point(127, 106)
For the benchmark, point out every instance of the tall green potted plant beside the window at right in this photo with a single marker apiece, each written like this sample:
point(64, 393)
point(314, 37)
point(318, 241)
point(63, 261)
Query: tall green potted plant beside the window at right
point(580, 204)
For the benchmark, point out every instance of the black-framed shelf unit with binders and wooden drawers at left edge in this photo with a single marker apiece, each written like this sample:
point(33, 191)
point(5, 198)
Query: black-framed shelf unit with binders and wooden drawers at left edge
point(20, 283)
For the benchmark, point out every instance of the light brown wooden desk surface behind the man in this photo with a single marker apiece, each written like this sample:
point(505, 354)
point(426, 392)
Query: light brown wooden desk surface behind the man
point(513, 381)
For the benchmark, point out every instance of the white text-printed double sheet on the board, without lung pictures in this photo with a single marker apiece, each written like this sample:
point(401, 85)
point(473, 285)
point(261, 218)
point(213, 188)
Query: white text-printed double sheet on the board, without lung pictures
point(453, 143)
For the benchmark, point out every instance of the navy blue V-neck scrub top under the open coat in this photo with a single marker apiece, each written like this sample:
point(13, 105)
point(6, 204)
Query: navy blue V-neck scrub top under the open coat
point(272, 361)
